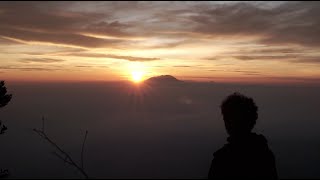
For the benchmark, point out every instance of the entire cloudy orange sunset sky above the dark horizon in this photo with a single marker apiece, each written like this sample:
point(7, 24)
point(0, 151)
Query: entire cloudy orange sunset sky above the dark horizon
point(268, 42)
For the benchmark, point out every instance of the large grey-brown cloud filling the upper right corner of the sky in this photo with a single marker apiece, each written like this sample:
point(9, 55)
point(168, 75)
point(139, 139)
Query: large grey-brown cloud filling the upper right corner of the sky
point(288, 23)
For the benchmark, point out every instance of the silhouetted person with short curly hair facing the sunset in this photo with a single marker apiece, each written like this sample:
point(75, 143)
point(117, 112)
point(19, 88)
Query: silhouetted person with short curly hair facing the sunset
point(246, 155)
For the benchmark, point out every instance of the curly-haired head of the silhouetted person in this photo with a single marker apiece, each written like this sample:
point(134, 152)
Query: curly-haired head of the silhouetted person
point(239, 113)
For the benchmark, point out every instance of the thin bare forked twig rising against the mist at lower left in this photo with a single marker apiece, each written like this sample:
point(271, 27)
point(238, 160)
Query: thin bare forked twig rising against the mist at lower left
point(67, 158)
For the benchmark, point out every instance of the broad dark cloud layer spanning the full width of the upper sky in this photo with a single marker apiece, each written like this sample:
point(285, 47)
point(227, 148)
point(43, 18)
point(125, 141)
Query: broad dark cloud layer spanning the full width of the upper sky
point(97, 24)
